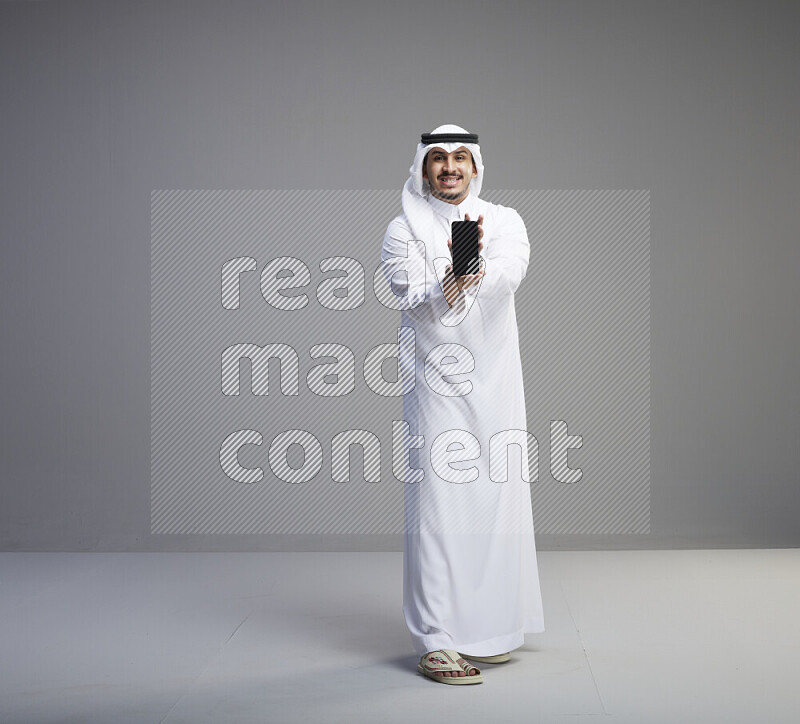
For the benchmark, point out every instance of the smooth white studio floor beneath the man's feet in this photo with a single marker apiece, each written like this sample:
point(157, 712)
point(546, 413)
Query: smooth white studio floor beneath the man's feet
point(632, 636)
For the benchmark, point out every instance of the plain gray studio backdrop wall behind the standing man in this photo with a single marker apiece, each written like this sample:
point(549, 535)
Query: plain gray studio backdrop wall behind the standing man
point(651, 148)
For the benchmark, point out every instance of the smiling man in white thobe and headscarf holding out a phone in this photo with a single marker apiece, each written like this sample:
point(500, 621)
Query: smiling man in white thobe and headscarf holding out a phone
point(470, 578)
